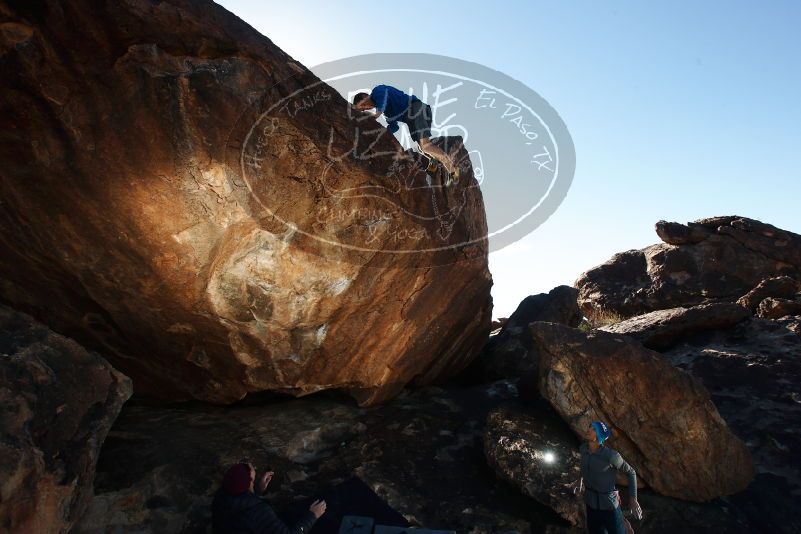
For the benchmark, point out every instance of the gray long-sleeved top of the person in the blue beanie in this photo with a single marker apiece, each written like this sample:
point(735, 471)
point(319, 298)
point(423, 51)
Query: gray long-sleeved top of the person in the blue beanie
point(599, 470)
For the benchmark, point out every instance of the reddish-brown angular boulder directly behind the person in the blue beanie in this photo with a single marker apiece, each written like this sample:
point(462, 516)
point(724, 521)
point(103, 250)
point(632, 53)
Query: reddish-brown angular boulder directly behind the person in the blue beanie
point(662, 418)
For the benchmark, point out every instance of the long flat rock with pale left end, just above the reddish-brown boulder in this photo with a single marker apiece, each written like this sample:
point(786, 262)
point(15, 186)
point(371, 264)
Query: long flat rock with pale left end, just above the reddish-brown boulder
point(661, 329)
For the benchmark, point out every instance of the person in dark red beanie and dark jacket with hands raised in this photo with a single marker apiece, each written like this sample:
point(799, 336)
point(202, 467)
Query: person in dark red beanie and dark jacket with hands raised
point(236, 509)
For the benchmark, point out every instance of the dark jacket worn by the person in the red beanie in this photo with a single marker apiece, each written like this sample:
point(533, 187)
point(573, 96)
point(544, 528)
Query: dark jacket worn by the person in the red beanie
point(248, 514)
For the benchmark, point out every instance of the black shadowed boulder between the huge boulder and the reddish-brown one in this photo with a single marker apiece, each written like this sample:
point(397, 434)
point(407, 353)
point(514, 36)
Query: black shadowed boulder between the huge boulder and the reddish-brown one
point(508, 353)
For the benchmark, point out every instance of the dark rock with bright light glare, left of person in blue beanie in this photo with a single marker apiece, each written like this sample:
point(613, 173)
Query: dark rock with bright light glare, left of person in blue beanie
point(538, 454)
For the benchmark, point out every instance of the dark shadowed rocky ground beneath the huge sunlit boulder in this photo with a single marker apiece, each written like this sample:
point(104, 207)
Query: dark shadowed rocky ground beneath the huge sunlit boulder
point(422, 453)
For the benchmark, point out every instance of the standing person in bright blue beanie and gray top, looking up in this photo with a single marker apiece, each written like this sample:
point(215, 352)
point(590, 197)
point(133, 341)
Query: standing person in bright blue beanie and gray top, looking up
point(599, 468)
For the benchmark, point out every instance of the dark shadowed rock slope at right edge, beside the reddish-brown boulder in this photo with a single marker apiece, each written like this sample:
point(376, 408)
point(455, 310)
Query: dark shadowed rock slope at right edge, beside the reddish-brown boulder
point(753, 372)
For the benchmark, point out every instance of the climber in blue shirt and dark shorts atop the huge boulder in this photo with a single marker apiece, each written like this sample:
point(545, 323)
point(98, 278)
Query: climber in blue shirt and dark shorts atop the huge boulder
point(397, 106)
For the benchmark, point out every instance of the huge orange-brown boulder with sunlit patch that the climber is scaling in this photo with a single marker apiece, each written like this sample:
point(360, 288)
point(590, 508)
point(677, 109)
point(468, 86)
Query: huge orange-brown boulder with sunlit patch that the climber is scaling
point(213, 218)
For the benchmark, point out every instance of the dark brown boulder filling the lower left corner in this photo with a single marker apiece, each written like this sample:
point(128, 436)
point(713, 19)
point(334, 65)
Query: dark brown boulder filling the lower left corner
point(57, 403)
